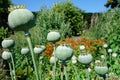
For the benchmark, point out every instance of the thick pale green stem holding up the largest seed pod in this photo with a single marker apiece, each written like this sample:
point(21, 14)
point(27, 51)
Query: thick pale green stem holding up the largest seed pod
point(32, 54)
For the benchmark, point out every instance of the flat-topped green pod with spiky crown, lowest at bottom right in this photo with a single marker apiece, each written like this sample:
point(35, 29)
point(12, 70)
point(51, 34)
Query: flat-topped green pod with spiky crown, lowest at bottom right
point(101, 70)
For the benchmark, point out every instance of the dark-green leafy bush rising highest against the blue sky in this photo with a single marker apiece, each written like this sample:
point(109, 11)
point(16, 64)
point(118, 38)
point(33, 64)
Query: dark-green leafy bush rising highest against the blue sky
point(73, 15)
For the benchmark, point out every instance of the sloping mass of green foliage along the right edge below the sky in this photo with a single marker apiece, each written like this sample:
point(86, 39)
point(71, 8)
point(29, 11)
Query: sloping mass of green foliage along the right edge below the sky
point(107, 26)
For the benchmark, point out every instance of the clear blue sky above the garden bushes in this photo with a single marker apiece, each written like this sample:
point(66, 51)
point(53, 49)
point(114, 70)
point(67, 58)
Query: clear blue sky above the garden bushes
point(86, 5)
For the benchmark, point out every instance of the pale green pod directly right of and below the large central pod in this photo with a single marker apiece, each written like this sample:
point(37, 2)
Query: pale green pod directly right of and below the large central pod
point(85, 58)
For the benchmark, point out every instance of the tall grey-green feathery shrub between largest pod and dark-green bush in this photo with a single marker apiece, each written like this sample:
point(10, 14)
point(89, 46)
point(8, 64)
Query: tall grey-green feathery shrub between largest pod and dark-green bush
point(48, 20)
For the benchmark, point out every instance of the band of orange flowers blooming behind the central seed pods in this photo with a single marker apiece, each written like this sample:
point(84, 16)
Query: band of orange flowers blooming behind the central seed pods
point(89, 44)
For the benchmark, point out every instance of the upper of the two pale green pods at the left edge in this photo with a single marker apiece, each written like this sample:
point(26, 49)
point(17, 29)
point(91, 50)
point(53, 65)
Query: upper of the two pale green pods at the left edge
point(8, 43)
